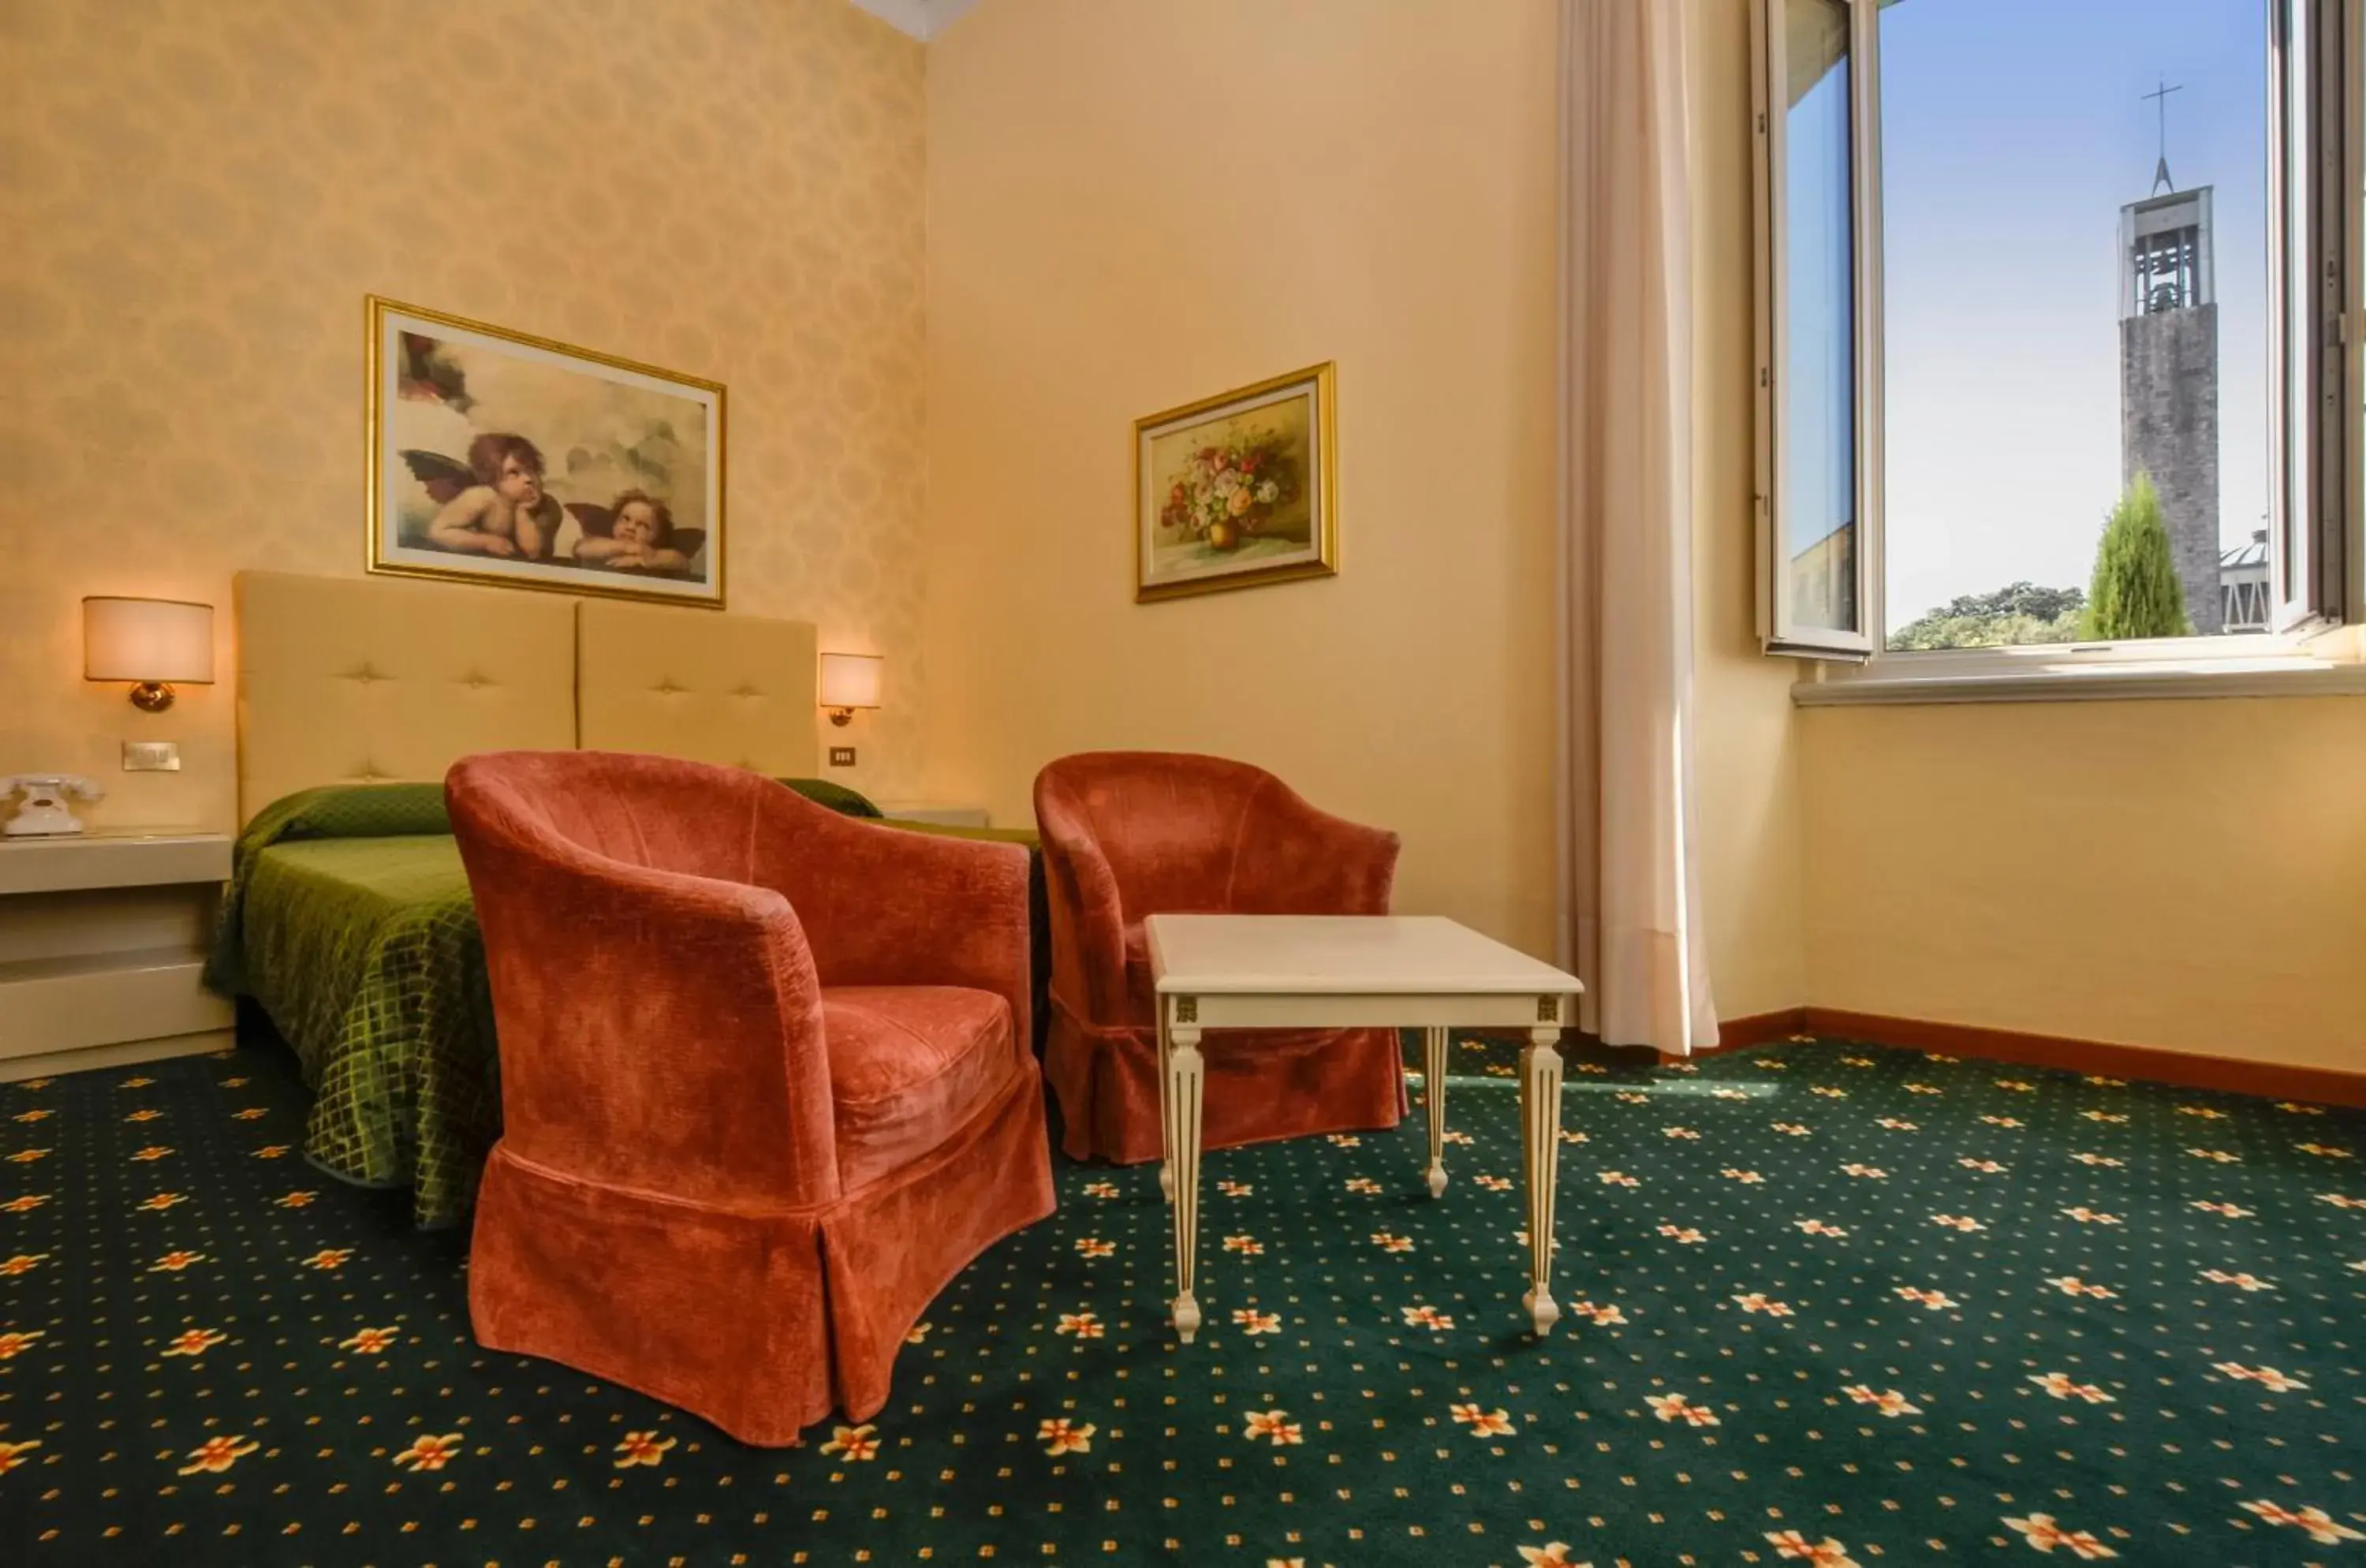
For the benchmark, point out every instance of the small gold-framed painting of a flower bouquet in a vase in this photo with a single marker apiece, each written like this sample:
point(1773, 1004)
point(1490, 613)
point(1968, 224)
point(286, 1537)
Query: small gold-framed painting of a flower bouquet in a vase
point(1239, 491)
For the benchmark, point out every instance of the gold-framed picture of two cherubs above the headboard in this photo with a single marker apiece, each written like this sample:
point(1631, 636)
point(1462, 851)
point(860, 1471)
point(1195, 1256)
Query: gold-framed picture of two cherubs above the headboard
point(512, 460)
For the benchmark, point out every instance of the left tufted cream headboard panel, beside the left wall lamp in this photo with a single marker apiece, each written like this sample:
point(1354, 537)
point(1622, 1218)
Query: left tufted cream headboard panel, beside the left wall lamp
point(363, 680)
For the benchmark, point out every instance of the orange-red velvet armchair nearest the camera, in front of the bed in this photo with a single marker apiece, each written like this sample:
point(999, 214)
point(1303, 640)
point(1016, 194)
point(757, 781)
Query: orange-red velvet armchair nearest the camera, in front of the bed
point(765, 1080)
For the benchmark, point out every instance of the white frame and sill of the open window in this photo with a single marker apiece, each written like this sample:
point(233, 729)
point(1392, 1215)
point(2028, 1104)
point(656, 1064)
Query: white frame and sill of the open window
point(2320, 559)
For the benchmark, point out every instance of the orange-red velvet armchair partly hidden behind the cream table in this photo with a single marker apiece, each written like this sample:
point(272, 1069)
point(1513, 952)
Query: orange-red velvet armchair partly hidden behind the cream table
point(1168, 834)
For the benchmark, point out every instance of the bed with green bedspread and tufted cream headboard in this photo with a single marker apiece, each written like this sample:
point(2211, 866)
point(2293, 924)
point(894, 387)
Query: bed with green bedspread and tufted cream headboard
point(349, 921)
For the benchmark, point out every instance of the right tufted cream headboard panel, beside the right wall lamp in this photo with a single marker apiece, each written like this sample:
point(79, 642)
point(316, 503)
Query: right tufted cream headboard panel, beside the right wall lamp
point(694, 685)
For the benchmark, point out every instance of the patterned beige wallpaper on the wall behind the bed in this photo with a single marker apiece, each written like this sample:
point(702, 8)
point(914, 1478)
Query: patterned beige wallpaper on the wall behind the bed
point(200, 193)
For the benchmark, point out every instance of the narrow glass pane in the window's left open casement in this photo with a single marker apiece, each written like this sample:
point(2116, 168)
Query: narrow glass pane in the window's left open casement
point(1818, 432)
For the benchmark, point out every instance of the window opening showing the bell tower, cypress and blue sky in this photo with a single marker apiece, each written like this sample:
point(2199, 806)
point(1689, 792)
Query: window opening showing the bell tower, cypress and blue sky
point(2076, 332)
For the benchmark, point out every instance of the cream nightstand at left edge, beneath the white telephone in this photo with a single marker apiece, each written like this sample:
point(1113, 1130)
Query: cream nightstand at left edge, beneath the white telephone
point(103, 940)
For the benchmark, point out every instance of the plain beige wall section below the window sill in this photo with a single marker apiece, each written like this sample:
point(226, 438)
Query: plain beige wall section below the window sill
point(2187, 876)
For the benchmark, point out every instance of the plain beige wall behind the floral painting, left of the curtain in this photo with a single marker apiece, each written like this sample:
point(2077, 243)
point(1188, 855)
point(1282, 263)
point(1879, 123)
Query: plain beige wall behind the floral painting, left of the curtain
point(1142, 205)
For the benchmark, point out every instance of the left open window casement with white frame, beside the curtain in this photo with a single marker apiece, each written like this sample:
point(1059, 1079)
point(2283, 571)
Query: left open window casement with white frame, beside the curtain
point(1818, 328)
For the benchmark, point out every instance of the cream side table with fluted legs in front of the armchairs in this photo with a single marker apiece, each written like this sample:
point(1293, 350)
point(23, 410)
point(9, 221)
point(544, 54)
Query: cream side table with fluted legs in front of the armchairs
point(1357, 973)
